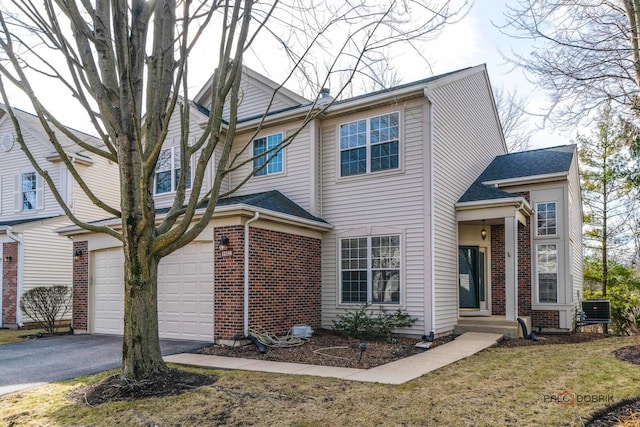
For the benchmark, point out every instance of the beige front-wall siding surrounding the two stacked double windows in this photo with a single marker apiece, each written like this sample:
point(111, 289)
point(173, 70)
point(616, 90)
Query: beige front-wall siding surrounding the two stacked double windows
point(393, 200)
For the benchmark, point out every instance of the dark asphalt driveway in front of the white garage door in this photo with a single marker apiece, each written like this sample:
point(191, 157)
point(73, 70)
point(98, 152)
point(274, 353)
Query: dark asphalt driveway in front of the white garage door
point(38, 361)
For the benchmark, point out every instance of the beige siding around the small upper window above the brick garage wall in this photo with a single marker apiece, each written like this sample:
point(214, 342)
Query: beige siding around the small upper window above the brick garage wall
point(294, 181)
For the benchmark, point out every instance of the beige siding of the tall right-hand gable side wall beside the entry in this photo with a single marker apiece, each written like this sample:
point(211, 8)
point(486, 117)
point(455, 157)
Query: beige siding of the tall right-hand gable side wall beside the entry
point(467, 137)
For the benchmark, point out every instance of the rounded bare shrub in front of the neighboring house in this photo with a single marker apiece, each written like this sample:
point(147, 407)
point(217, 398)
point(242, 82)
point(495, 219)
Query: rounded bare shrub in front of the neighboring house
point(46, 305)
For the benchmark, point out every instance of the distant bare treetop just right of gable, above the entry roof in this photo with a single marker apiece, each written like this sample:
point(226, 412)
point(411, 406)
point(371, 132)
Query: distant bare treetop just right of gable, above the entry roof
point(513, 118)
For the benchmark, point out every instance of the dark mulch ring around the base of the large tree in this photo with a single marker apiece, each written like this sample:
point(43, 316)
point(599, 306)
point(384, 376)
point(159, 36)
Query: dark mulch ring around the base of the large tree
point(114, 388)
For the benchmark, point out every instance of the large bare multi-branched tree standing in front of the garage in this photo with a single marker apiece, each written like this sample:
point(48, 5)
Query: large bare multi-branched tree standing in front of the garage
point(127, 63)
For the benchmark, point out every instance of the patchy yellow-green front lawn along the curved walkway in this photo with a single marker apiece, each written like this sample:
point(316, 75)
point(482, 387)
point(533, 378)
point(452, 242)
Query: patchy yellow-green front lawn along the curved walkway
point(499, 386)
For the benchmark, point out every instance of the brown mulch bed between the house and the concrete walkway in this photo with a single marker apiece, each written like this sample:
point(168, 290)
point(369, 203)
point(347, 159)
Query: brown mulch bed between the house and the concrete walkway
point(329, 349)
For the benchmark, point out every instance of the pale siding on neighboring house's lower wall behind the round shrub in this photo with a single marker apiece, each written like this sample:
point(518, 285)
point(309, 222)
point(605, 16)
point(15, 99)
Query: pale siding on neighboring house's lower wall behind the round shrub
point(48, 257)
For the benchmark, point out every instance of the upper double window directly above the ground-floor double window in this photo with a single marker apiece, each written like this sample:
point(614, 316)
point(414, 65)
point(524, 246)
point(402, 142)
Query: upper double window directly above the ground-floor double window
point(370, 145)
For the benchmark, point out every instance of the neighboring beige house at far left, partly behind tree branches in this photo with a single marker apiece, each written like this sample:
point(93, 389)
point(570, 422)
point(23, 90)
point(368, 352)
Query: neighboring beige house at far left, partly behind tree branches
point(32, 253)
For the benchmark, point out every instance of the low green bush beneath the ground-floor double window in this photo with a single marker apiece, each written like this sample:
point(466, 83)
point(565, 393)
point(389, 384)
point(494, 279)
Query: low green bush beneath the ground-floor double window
point(363, 323)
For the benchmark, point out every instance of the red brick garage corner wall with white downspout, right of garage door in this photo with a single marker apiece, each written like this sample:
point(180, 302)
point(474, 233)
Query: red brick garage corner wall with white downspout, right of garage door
point(284, 282)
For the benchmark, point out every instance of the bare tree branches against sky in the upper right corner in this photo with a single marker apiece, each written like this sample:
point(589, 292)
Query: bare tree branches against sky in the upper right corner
point(585, 53)
